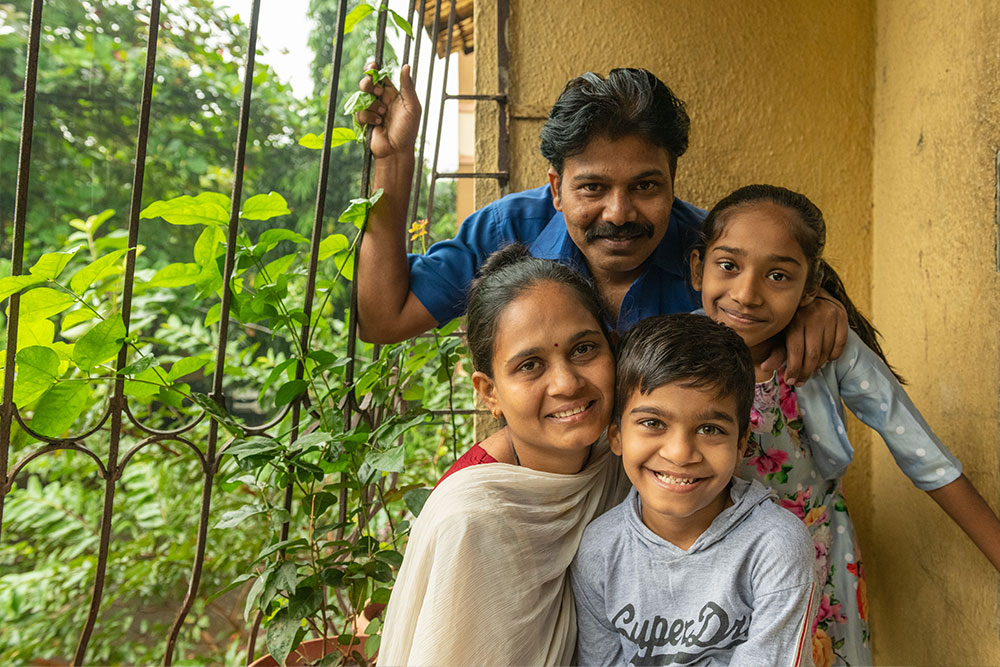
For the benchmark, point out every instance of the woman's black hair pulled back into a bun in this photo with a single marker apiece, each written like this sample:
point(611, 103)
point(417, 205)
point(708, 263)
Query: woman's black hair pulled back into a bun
point(506, 275)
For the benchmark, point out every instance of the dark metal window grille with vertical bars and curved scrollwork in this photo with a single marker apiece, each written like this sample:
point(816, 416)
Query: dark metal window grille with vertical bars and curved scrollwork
point(110, 466)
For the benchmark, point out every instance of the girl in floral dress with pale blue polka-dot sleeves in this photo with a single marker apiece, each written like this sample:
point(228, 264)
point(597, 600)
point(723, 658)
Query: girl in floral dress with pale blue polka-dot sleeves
point(760, 258)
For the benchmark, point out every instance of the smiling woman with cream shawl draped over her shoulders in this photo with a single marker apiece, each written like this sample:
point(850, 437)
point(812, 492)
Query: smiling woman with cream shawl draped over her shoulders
point(484, 577)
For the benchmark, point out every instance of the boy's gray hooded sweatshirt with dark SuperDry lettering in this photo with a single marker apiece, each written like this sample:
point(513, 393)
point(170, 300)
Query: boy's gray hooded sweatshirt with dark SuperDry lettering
point(742, 594)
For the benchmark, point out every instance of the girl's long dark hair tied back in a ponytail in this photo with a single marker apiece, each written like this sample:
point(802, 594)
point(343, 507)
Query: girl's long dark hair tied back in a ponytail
point(811, 236)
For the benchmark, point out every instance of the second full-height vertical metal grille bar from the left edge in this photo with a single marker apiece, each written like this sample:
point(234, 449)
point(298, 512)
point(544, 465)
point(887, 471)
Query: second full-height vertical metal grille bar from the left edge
point(117, 402)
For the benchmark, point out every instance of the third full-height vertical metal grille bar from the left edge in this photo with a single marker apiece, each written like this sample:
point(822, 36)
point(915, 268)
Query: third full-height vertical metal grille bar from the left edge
point(220, 356)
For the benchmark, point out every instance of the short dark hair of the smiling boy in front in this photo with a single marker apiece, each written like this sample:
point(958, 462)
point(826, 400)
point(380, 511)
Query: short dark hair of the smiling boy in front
point(688, 349)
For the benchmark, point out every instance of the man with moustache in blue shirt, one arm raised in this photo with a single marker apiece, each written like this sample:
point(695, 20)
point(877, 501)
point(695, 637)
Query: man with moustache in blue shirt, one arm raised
point(608, 211)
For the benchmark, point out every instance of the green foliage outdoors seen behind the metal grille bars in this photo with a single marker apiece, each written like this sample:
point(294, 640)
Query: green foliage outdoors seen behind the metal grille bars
point(87, 108)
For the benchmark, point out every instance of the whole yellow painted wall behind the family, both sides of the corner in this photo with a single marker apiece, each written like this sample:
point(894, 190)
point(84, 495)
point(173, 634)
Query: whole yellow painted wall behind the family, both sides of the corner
point(829, 97)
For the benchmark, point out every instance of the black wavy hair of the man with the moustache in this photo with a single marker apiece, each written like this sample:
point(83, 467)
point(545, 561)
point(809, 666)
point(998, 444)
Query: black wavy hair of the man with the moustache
point(629, 101)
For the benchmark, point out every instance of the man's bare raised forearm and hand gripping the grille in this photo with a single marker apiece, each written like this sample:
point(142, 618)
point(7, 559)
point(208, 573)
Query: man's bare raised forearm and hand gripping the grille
point(387, 310)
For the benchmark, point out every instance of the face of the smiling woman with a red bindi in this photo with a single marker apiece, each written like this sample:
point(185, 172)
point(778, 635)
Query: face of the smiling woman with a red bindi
point(553, 377)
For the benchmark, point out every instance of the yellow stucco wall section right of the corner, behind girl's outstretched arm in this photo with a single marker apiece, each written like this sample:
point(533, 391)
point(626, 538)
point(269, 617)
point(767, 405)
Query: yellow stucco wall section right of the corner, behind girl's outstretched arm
point(936, 299)
